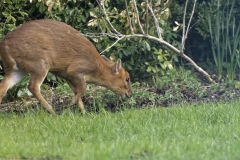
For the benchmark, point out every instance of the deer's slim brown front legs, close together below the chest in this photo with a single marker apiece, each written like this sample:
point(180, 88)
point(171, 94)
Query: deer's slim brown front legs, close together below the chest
point(78, 86)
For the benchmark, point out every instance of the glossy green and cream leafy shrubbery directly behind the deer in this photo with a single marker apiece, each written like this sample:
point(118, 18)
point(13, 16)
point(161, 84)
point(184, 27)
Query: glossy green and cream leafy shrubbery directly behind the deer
point(139, 55)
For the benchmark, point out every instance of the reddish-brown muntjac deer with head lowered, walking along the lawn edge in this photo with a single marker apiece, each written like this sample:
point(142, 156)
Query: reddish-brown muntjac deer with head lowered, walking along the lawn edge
point(41, 46)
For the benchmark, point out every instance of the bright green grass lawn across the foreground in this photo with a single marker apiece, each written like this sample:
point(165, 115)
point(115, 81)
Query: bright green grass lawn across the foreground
point(208, 131)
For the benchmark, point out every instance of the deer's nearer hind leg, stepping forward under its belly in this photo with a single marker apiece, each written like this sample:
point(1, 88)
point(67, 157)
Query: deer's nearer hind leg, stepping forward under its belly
point(34, 87)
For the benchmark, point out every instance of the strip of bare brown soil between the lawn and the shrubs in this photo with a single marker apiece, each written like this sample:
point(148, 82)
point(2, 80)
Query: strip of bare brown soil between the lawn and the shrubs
point(221, 93)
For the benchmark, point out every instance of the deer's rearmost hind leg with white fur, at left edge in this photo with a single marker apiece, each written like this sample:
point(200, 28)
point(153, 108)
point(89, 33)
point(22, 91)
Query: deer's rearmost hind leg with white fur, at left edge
point(10, 80)
